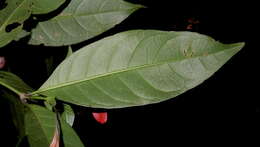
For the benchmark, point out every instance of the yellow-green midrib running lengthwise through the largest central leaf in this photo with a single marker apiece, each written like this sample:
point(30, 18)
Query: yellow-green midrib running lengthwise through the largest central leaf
point(126, 70)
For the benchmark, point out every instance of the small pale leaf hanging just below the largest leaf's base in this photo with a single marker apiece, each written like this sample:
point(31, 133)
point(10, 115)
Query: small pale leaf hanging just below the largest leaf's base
point(68, 115)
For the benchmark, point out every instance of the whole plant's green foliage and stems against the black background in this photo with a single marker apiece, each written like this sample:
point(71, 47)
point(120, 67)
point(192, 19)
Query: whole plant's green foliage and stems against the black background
point(131, 68)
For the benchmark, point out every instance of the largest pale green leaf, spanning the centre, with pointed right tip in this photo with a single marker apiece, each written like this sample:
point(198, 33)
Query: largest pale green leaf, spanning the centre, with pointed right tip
point(137, 68)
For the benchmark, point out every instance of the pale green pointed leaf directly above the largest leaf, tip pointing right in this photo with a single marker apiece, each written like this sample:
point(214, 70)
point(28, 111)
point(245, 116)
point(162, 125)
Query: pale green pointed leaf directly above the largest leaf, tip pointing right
point(81, 20)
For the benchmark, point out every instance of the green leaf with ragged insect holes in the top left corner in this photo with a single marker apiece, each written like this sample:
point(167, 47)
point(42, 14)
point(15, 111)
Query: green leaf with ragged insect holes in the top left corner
point(16, 11)
